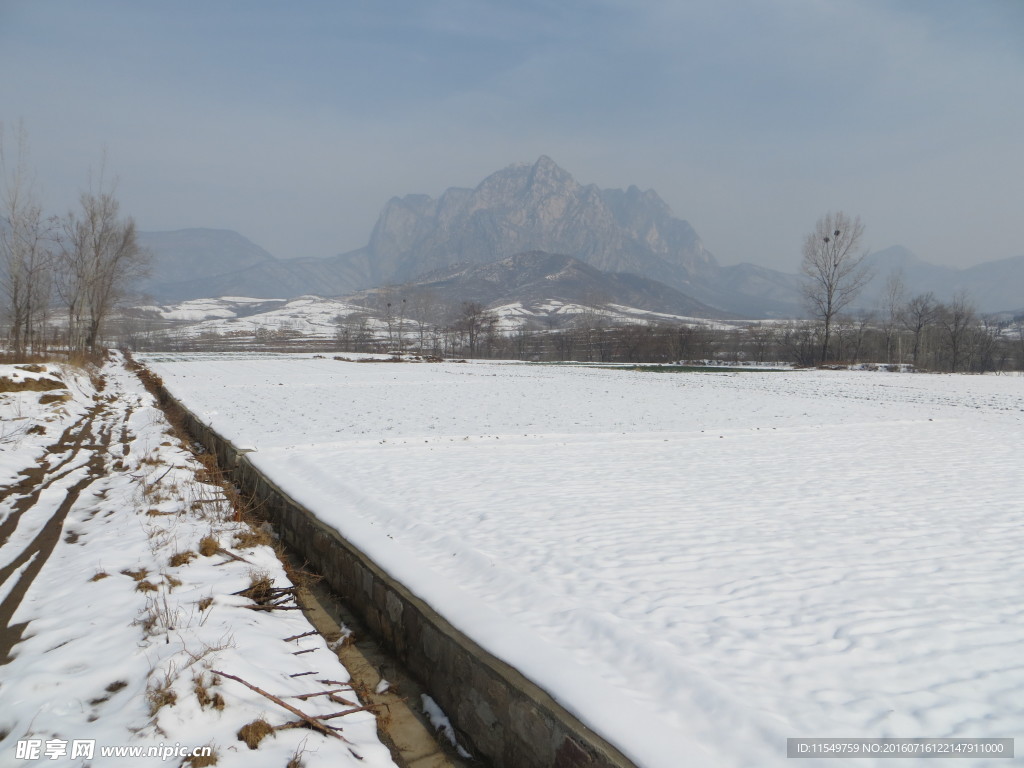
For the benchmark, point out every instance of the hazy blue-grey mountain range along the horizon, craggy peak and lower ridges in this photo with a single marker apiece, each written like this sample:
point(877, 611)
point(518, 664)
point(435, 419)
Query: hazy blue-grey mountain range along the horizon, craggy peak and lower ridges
point(529, 208)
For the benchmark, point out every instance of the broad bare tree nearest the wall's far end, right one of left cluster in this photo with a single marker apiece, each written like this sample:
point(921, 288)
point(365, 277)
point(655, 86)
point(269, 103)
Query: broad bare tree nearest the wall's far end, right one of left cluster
point(100, 259)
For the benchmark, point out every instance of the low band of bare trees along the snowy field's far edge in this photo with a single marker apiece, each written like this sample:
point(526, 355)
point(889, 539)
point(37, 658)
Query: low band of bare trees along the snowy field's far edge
point(928, 335)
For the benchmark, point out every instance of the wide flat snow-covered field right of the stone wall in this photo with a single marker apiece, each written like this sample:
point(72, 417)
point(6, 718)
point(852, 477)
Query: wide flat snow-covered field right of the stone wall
point(701, 566)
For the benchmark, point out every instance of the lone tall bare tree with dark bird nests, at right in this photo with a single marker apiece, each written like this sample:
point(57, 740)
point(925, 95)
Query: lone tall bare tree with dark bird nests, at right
point(833, 269)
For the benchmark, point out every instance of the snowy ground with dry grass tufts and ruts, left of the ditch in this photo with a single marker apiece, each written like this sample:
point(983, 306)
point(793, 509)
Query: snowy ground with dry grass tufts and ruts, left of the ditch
point(121, 617)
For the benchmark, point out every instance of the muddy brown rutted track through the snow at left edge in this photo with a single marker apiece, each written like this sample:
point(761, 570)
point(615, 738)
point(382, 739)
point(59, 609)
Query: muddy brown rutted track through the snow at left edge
point(76, 461)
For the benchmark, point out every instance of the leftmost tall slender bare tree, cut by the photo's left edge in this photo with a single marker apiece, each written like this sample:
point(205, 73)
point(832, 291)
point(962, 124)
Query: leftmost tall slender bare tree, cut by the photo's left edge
point(26, 259)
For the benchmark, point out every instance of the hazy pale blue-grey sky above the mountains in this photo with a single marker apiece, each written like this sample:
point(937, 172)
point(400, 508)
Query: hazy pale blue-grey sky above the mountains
point(294, 122)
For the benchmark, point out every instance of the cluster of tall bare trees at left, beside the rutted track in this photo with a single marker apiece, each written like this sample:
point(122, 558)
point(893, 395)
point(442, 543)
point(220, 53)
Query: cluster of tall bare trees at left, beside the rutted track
point(65, 272)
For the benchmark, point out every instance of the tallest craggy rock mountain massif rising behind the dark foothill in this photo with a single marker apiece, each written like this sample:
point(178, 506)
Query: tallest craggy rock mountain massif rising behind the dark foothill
point(538, 207)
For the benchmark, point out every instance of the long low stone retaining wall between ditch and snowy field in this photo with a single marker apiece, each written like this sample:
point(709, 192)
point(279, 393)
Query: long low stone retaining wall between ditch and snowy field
point(499, 715)
